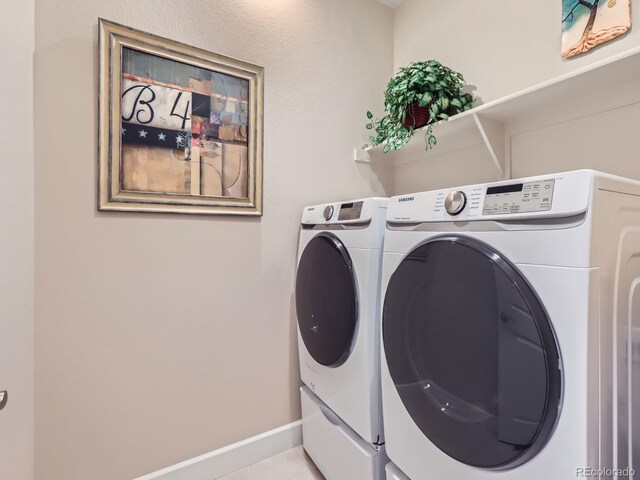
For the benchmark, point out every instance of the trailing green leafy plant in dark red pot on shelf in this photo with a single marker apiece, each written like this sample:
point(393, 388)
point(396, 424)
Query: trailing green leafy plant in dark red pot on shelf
point(419, 95)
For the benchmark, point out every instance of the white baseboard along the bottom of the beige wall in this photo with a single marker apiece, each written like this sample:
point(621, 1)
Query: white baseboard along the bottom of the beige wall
point(233, 457)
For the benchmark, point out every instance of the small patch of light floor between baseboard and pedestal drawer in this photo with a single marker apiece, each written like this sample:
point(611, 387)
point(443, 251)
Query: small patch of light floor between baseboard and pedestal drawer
point(293, 464)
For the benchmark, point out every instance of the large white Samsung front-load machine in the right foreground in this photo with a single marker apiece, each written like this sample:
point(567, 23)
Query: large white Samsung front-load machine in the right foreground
point(510, 329)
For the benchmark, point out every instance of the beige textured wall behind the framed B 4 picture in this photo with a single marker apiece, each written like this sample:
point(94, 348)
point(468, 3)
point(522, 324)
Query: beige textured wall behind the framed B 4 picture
point(161, 337)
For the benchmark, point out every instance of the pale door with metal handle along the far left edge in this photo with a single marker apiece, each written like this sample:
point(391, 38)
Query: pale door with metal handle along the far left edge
point(16, 239)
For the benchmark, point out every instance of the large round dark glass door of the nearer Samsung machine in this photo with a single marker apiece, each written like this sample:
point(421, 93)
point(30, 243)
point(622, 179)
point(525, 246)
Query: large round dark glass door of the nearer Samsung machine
point(472, 353)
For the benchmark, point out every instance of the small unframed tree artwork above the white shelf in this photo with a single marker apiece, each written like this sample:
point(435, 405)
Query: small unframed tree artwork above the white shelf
point(586, 24)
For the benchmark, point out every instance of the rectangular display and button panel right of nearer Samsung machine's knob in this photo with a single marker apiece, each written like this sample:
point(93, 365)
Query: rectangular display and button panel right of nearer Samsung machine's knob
point(536, 196)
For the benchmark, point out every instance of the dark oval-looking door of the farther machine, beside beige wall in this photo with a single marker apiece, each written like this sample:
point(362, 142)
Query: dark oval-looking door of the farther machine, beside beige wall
point(326, 300)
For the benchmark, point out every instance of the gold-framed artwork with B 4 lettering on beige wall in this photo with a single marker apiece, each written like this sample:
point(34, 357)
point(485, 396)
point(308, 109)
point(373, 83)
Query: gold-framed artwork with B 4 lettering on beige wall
point(180, 128)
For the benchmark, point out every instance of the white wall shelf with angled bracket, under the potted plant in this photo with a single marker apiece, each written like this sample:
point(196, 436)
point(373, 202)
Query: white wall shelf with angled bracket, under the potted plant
point(485, 124)
